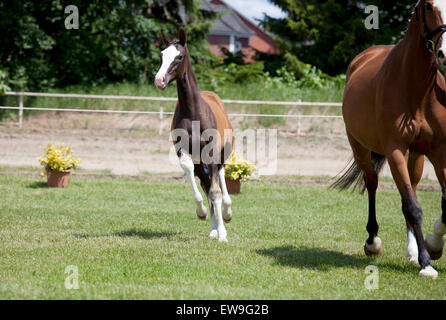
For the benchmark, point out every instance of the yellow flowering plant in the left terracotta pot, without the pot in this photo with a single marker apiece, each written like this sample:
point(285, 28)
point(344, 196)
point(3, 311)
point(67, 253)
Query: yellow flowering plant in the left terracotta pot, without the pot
point(58, 158)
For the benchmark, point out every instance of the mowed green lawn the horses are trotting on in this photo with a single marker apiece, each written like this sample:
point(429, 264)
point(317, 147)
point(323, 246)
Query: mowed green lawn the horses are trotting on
point(140, 239)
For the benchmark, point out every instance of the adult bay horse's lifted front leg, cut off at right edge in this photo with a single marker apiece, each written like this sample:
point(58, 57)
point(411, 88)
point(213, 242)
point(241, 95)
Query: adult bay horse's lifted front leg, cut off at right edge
point(434, 242)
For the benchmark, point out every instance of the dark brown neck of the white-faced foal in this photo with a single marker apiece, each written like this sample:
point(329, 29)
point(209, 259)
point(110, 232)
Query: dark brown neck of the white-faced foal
point(188, 94)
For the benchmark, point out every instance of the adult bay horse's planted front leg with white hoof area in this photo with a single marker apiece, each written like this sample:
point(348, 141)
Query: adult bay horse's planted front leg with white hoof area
point(398, 161)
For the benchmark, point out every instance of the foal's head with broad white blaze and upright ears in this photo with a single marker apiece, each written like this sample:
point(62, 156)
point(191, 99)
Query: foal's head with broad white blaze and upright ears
point(172, 60)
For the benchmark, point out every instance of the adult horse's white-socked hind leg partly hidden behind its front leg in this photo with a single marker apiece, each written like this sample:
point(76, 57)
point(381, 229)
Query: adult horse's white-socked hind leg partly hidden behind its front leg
point(415, 166)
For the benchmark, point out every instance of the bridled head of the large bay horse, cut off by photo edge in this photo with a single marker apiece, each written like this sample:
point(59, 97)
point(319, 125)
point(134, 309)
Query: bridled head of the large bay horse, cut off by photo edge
point(432, 15)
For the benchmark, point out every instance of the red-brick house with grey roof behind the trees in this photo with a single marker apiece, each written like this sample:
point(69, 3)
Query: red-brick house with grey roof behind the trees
point(236, 33)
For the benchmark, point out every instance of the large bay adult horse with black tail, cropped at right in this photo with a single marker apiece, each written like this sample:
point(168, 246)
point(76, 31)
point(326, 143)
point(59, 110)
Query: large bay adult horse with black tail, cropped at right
point(394, 108)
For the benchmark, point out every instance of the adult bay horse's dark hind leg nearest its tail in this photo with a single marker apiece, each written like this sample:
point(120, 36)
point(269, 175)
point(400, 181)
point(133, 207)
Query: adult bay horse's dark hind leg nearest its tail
point(363, 159)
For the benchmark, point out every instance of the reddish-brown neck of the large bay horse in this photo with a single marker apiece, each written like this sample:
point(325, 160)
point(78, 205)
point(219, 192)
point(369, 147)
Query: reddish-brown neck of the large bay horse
point(418, 70)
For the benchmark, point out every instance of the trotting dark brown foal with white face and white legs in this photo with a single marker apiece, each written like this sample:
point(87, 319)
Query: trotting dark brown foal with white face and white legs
point(200, 124)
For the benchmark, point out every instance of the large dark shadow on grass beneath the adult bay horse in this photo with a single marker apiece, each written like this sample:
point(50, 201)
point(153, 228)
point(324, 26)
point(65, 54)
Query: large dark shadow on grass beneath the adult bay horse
point(324, 259)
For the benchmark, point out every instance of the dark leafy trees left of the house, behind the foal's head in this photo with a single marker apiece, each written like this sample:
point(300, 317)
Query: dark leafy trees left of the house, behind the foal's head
point(117, 40)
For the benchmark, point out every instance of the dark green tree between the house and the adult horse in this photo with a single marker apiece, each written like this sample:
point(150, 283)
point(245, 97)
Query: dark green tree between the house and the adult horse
point(330, 33)
